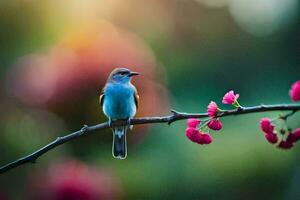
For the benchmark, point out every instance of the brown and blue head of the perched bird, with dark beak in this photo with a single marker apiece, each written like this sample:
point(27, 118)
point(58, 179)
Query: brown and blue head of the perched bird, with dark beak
point(121, 75)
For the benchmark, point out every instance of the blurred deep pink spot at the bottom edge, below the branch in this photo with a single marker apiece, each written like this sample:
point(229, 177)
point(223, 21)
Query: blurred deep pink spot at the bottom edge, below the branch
point(72, 180)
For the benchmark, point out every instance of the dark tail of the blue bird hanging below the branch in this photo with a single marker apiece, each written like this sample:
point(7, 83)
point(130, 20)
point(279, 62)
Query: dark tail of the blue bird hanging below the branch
point(119, 149)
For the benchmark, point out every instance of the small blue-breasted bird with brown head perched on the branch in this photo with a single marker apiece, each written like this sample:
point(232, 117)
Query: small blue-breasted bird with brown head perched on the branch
point(119, 100)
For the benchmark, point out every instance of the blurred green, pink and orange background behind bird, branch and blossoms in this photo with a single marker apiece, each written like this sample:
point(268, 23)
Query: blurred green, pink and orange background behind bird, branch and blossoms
point(55, 57)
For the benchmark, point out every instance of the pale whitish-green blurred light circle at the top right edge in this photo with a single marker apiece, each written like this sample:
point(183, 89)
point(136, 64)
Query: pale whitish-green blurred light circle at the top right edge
point(263, 17)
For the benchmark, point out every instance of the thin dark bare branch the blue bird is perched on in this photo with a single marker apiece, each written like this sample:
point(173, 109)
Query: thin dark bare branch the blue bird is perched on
point(175, 116)
